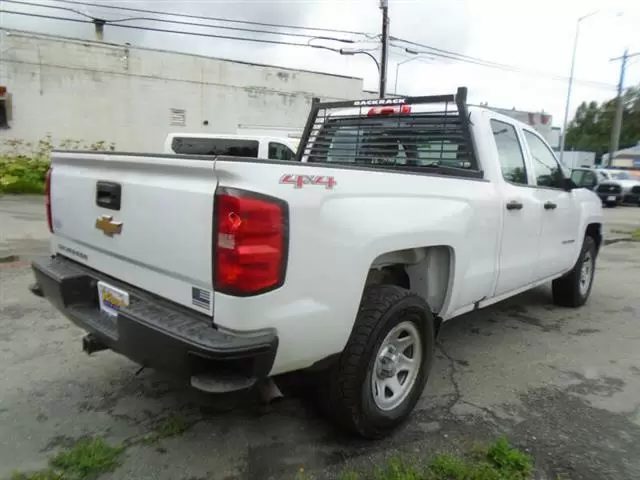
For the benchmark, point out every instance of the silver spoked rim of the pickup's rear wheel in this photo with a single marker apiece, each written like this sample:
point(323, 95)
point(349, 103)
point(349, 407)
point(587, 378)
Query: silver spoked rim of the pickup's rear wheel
point(397, 365)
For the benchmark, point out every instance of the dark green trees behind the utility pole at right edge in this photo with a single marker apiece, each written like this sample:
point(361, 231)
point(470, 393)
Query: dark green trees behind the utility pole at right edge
point(590, 129)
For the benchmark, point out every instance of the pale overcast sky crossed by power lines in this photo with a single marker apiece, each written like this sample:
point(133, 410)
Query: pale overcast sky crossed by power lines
point(533, 38)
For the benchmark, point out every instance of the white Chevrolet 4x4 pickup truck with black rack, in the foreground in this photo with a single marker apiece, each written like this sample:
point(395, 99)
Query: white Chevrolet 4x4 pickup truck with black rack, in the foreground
point(398, 214)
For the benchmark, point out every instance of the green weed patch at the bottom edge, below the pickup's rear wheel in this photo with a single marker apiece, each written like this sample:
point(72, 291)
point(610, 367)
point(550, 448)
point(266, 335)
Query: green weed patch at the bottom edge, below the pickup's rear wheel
point(498, 461)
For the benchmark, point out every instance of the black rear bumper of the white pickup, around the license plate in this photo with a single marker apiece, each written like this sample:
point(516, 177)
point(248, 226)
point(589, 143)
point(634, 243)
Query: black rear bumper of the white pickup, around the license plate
point(152, 331)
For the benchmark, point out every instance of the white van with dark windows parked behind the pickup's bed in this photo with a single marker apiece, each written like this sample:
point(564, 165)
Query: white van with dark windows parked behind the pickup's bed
point(241, 145)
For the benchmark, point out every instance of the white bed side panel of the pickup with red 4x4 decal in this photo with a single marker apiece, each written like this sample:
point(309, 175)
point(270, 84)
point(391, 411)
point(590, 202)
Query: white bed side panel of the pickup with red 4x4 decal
point(337, 233)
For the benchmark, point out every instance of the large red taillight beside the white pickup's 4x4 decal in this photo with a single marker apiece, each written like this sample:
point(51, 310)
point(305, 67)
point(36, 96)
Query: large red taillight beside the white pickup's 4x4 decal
point(250, 246)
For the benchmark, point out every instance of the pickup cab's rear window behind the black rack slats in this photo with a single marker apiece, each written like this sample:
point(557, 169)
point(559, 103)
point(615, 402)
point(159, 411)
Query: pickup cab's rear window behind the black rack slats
point(412, 141)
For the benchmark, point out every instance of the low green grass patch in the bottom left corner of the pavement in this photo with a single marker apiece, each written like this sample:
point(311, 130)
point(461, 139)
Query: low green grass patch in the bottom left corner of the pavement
point(86, 460)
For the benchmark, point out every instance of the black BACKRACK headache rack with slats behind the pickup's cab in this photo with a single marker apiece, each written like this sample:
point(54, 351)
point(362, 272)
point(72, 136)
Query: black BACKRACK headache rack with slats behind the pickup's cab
point(423, 134)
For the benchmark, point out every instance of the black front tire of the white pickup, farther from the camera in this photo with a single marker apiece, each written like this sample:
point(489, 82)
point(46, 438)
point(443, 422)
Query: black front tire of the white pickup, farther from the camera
point(567, 291)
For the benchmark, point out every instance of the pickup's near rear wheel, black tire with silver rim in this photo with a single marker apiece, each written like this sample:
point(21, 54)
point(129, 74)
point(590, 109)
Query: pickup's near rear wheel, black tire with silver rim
point(384, 367)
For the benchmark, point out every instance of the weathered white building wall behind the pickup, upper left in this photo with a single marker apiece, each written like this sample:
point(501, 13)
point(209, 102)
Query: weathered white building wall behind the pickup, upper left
point(93, 91)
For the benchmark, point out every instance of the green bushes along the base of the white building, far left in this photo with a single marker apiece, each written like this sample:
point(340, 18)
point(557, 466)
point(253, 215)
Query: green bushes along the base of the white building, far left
point(24, 164)
